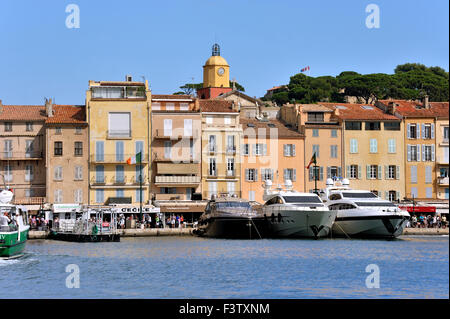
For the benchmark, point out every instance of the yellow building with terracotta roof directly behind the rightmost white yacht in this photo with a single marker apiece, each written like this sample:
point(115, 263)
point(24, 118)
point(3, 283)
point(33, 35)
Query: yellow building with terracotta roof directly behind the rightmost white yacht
point(373, 144)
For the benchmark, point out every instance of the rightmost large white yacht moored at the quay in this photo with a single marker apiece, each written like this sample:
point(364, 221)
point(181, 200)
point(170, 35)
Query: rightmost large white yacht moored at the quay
point(361, 213)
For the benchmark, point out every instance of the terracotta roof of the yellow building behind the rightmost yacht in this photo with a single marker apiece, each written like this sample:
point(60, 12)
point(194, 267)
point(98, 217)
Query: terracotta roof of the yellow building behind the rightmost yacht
point(357, 112)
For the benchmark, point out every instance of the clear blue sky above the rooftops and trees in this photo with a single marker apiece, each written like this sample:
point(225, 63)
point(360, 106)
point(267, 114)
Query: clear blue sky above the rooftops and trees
point(265, 42)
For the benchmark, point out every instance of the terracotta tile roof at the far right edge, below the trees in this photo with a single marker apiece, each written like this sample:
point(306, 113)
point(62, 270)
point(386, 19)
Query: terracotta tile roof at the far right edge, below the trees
point(416, 109)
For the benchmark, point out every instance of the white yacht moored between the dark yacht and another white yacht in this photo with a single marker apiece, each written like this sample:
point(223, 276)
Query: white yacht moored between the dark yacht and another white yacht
point(292, 214)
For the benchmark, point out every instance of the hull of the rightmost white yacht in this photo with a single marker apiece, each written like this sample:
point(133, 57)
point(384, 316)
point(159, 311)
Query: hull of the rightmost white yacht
point(381, 226)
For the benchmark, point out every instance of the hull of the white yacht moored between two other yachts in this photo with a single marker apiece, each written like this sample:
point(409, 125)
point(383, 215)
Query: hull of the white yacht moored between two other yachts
point(301, 224)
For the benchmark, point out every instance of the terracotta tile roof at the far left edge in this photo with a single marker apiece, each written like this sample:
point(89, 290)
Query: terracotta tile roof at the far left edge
point(22, 113)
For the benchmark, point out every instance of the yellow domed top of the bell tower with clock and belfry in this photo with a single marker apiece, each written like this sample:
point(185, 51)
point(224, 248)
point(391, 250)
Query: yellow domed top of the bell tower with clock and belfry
point(216, 71)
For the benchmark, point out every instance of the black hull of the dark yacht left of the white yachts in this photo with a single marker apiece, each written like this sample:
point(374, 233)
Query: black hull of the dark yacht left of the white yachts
point(234, 228)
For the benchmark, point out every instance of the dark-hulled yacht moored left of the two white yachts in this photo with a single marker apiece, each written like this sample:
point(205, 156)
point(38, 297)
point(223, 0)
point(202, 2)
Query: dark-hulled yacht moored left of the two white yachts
point(231, 217)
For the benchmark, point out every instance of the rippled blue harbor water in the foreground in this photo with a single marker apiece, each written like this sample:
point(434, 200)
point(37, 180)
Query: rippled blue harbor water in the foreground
point(191, 267)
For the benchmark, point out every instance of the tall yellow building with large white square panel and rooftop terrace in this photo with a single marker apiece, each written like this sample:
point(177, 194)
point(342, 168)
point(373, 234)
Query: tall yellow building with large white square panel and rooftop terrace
point(118, 114)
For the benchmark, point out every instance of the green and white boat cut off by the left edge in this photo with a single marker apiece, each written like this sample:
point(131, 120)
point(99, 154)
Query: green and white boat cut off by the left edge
point(13, 226)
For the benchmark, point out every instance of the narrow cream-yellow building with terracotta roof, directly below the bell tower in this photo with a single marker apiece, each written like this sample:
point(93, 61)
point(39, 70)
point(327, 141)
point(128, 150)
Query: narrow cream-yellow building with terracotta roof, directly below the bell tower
point(221, 138)
